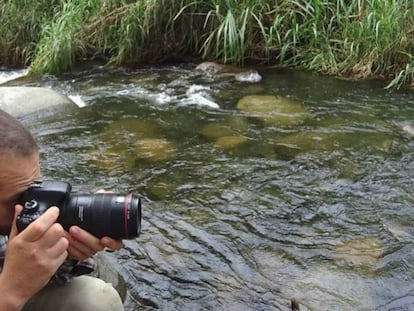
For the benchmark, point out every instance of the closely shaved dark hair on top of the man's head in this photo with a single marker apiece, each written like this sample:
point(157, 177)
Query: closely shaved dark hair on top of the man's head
point(15, 139)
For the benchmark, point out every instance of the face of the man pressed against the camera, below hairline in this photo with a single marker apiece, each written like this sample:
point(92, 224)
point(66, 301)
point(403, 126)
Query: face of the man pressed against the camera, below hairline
point(16, 175)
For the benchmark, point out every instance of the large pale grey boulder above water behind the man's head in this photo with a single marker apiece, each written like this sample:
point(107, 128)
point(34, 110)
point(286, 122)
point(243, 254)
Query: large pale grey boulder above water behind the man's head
point(23, 100)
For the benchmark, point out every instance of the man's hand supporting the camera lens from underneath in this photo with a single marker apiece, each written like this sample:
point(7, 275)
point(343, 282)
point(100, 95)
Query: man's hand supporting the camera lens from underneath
point(83, 245)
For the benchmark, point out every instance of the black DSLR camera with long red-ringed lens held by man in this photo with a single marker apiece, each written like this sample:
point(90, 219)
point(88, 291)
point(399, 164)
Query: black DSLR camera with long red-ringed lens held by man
point(102, 214)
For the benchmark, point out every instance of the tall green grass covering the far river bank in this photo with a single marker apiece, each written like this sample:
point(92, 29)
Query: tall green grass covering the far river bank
point(353, 38)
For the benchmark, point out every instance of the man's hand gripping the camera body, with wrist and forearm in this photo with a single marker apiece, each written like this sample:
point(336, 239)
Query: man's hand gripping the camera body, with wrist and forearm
point(32, 257)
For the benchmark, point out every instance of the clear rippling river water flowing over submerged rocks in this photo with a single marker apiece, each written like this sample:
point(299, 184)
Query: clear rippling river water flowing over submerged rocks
point(242, 209)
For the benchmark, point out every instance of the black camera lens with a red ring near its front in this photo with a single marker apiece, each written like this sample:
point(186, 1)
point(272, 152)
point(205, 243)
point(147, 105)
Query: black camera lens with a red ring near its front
point(104, 214)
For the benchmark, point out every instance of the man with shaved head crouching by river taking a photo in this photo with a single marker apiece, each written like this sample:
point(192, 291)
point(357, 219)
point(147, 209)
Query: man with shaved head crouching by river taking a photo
point(40, 268)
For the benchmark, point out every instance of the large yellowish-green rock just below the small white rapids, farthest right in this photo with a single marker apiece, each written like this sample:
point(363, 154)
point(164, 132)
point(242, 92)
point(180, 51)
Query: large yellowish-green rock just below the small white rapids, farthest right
point(275, 110)
